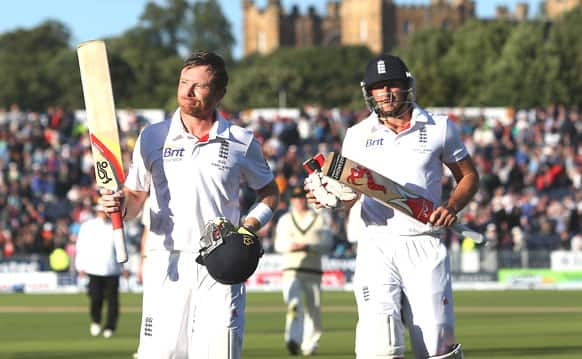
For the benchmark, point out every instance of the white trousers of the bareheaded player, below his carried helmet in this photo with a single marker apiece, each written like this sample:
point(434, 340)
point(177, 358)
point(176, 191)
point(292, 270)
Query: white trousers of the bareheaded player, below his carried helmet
point(186, 313)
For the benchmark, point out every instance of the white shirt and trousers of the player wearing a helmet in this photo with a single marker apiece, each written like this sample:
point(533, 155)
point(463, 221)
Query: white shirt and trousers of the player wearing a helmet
point(396, 254)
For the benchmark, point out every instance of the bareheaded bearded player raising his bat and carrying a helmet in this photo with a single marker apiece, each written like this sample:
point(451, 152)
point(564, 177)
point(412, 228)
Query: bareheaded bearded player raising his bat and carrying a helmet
point(198, 257)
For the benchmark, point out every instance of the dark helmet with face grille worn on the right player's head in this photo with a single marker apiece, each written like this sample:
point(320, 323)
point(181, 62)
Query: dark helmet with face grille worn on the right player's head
point(386, 68)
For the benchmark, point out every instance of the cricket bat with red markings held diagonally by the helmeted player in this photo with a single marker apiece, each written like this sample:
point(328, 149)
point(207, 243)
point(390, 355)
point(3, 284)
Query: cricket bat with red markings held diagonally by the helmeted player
point(380, 188)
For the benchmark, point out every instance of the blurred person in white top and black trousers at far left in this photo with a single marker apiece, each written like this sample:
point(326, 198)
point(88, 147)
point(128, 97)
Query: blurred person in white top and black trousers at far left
point(96, 259)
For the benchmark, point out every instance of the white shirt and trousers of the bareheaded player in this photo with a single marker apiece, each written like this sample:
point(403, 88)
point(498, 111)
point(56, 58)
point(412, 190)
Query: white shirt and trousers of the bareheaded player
point(186, 313)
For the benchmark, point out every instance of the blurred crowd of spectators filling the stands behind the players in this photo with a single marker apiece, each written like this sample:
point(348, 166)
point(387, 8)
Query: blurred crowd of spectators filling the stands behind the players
point(530, 167)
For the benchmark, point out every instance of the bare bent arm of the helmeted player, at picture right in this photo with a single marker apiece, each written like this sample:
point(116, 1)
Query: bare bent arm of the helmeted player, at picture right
point(467, 179)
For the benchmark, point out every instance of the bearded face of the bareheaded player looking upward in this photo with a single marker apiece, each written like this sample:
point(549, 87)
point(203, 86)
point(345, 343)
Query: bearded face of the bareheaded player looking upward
point(197, 96)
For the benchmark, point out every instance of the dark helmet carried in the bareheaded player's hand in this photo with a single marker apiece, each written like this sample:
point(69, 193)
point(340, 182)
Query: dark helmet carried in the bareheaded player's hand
point(230, 255)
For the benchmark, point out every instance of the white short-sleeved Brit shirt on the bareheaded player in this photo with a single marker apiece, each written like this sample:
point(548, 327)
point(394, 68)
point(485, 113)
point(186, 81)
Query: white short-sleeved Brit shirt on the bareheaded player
point(192, 181)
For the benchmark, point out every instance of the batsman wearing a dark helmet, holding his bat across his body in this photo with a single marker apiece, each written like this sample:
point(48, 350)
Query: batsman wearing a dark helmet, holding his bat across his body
point(402, 268)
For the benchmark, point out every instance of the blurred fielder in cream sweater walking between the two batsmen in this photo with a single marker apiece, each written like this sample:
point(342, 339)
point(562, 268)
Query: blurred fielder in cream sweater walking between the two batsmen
point(302, 235)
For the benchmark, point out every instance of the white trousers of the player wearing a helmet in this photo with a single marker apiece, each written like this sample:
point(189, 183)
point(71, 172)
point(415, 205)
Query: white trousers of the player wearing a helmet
point(400, 276)
